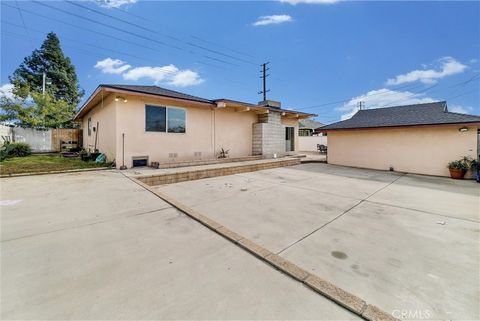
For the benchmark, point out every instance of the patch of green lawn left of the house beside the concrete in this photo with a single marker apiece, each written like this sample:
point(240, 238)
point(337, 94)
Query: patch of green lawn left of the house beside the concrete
point(44, 163)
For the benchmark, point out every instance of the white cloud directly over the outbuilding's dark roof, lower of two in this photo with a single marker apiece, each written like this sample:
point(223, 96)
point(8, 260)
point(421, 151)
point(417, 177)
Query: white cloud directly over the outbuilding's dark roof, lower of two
point(382, 98)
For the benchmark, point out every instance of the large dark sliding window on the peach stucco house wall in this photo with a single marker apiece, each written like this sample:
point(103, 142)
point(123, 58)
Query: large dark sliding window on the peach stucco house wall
point(164, 119)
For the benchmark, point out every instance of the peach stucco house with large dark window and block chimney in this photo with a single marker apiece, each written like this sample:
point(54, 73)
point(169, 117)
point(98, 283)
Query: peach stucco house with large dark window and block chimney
point(141, 124)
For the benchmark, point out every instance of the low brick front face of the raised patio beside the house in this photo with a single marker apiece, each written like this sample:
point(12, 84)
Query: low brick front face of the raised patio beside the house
point(170, 178)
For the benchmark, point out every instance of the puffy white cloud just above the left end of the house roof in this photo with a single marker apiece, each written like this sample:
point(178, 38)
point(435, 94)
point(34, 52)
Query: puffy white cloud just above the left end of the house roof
point(168, 74)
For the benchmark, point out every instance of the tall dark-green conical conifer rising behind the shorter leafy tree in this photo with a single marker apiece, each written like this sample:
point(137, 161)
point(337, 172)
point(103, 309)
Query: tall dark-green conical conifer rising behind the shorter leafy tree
point(60, 72)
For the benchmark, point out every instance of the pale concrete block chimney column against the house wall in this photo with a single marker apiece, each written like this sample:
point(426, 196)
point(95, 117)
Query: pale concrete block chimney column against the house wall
point(268, 135)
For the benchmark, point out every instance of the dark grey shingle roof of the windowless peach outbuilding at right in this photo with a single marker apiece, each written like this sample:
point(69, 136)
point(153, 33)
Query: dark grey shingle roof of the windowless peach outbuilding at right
point(412, 115)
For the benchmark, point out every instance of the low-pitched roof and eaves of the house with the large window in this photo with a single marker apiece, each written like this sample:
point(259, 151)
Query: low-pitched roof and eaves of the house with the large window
point(97, 95)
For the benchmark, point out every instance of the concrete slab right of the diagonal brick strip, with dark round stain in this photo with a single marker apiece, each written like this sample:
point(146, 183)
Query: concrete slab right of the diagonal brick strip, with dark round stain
point(406, 243)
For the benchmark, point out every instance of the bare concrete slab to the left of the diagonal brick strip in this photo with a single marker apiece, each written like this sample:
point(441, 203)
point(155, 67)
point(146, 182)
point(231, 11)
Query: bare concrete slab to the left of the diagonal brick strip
point(95, 245)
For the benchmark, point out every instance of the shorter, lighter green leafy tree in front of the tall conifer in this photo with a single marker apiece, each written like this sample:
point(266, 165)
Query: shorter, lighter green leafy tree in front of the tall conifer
point(37, 111)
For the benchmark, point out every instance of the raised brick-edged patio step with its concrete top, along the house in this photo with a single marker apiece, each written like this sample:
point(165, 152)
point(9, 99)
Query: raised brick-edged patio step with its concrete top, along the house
point(198, 172)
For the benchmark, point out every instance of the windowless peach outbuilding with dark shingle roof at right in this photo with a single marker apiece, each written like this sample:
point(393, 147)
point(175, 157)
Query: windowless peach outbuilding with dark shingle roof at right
point(420, 138)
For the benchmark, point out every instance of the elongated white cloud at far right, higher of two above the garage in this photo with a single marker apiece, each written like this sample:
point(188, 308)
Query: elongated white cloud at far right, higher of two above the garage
point(445, 66)
